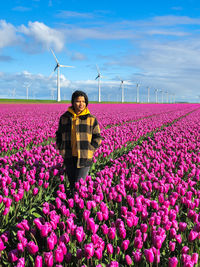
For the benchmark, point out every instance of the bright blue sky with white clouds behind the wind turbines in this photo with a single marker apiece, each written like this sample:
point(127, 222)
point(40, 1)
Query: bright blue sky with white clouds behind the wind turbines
point(153, 43)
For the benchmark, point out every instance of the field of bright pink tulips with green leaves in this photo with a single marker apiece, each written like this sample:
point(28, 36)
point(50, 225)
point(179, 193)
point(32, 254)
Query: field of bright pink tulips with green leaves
point(139, 205)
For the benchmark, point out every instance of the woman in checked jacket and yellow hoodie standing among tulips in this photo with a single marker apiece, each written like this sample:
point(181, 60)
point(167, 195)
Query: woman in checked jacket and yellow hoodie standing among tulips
point(77, 138)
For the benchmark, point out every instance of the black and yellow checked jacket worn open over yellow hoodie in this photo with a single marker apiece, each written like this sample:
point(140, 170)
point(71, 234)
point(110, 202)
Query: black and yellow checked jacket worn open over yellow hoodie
point(87, 136)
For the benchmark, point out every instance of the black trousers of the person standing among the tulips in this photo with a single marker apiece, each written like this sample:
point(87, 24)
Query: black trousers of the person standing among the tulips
point(74, 174)
